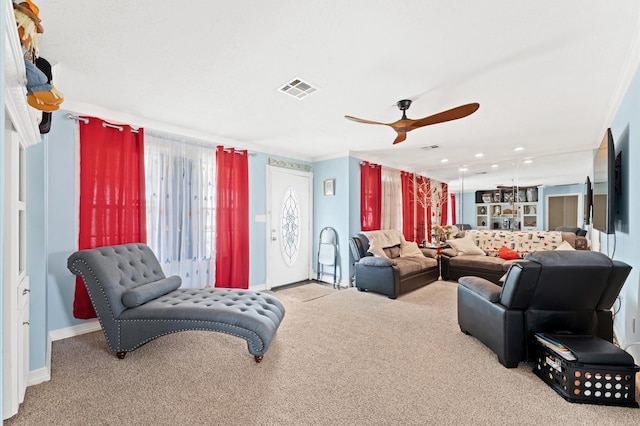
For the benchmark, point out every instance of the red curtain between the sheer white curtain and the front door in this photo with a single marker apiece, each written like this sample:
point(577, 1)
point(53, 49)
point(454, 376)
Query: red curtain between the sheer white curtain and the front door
point(232, 218)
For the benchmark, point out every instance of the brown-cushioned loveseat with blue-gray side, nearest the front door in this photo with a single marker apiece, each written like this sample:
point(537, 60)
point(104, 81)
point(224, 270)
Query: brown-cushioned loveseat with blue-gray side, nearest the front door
point(386, 263)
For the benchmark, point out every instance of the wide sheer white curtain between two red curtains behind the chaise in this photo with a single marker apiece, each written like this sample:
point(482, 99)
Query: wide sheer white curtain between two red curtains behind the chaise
point(180, 188)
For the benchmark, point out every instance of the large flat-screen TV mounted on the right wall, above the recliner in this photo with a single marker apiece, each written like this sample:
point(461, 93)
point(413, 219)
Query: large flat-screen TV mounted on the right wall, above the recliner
point(604, 177)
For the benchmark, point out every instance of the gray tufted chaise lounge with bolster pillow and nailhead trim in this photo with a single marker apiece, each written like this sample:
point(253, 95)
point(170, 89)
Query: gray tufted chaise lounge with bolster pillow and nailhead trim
point(135, 302)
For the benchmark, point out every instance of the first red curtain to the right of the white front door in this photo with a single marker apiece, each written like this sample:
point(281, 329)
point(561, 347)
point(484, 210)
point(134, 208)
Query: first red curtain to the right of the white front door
point(370, 196)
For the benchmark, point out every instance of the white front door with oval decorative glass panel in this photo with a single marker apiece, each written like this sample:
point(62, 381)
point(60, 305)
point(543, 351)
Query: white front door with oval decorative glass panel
point(289, 201)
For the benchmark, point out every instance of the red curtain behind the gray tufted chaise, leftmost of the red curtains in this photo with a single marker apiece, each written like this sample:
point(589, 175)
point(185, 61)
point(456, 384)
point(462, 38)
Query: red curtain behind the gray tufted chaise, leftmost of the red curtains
point(112, 195)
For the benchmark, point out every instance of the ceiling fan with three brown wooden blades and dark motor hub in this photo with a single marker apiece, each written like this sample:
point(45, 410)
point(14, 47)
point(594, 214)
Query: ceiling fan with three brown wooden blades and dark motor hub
point(405, 124)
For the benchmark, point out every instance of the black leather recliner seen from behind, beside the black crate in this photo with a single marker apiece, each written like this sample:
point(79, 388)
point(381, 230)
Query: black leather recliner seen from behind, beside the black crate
point(550, 291)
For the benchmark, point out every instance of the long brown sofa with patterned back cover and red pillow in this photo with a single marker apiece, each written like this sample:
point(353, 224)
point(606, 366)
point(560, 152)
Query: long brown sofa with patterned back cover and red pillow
point(489, 253)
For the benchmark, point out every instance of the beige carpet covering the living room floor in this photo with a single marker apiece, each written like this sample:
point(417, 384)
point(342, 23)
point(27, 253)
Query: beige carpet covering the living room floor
point(348, 358)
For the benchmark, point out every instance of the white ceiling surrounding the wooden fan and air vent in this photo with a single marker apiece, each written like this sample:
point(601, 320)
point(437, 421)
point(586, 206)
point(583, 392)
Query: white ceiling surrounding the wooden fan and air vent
point(549, 76)
